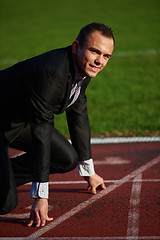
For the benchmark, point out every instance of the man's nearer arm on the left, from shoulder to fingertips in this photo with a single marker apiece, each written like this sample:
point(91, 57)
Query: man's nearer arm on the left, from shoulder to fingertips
point(41, 119)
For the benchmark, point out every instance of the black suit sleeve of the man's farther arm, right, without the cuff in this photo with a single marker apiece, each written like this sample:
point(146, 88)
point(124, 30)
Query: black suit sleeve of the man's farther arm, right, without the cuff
point(78, 124)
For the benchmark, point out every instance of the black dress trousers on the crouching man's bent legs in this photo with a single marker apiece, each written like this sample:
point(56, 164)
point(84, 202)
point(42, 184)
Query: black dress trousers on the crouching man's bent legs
point(18, 171)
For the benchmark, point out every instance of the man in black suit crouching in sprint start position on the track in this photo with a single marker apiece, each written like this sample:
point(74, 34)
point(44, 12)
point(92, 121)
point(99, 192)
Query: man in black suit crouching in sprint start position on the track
point(31, 92)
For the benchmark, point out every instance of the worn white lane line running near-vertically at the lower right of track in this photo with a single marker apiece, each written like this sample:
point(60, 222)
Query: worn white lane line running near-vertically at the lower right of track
point(133, 215)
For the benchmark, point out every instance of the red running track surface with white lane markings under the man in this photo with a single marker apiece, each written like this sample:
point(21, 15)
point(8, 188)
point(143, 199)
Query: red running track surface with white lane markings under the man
point(128, 208)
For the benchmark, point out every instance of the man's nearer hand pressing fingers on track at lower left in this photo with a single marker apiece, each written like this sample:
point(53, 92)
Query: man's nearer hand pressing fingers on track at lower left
point(39, 213)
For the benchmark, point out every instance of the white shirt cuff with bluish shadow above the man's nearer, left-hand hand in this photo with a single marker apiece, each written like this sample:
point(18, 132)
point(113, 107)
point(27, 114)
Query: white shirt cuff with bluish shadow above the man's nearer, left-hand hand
point(39, 190)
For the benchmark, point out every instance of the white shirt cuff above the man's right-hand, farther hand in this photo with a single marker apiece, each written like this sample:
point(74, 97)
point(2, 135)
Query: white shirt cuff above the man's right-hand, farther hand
point(86, 168)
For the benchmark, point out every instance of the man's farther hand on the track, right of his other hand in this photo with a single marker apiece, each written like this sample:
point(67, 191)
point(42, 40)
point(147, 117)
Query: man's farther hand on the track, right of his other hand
point(95, 182)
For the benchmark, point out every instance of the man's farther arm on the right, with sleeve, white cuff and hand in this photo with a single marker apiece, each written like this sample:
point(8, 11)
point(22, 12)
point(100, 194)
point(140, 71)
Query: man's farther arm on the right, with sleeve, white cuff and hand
point(78, 123)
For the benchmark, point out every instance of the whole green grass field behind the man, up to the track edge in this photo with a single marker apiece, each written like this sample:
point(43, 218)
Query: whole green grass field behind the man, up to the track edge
point(124, 99)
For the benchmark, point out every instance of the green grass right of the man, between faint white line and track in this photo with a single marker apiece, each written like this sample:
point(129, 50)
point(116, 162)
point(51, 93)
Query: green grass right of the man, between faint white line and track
point(129, 104)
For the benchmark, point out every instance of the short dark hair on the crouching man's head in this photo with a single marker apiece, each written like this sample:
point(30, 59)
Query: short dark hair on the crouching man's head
point(92, 27)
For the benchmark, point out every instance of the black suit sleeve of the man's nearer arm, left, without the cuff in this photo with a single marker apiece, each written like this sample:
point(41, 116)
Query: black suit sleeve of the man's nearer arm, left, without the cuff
point(41, 97)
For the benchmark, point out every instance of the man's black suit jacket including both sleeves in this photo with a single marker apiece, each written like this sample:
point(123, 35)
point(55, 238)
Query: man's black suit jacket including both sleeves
point(32, 91)
